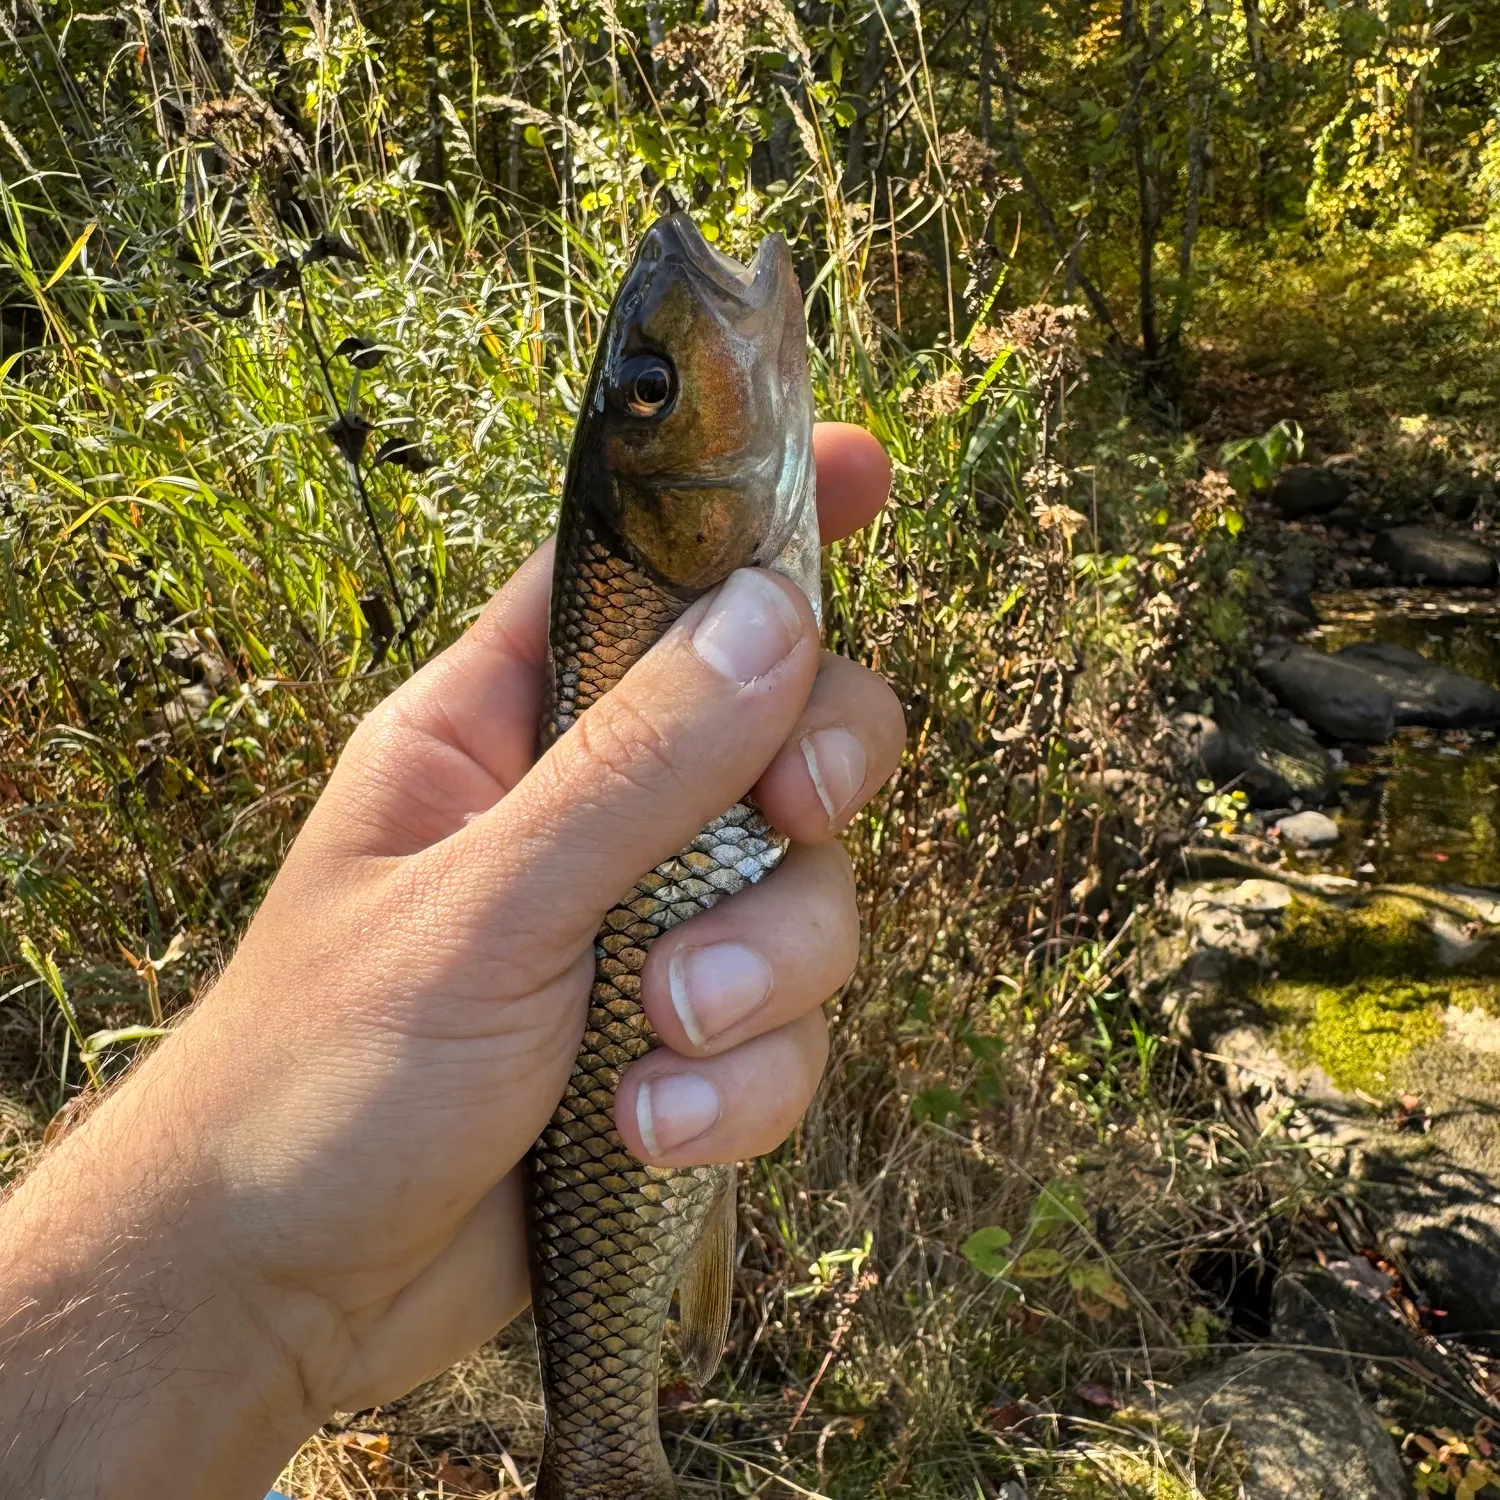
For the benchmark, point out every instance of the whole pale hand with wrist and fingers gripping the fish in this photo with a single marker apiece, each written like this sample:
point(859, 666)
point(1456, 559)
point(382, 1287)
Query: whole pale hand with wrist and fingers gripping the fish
point(308, 1199)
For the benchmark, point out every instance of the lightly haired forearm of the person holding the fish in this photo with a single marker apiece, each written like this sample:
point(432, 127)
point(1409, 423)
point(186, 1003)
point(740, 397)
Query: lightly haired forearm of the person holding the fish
point(131, 1361)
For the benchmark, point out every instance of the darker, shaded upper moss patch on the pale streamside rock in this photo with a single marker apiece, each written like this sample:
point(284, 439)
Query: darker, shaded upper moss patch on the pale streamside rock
point(1385, 938)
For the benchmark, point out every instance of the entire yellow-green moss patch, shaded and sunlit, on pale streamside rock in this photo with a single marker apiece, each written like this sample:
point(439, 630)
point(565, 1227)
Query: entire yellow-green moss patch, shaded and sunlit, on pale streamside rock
point(1360, 991)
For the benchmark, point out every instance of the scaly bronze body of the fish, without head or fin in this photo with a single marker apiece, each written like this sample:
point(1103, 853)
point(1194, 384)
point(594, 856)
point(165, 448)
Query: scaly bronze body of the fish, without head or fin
point(613, 1237)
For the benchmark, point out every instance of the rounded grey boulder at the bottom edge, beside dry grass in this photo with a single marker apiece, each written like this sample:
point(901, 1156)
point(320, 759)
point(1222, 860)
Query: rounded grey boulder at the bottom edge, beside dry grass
point(1303, 1432)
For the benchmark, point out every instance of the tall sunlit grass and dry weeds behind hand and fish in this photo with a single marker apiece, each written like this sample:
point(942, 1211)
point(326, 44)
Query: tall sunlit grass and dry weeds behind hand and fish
point(212, 569)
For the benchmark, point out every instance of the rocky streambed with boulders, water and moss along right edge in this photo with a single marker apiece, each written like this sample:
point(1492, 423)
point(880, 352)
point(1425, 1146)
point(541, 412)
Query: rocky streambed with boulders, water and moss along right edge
point(1334, 950)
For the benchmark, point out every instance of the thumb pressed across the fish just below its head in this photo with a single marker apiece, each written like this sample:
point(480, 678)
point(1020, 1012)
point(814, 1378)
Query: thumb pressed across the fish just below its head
point(676, 743)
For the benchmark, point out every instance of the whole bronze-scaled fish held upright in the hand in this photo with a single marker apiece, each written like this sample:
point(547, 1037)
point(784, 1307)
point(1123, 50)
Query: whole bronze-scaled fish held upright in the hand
point(692, 457)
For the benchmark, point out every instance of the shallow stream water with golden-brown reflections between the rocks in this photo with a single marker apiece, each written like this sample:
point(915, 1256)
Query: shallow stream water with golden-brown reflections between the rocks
point(1426, 806)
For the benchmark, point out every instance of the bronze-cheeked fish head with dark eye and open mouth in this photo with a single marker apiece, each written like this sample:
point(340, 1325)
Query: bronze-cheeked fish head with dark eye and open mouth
point(695, 443)
